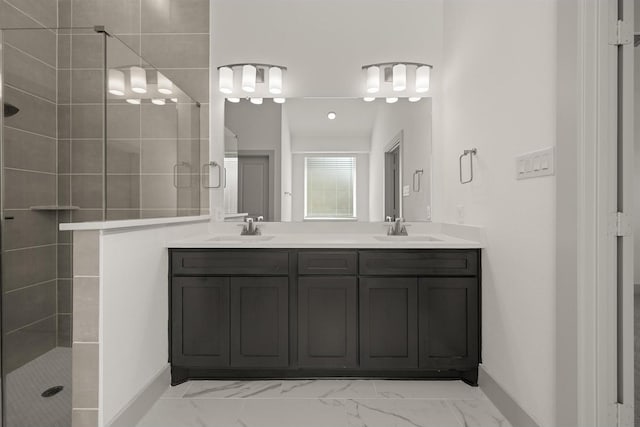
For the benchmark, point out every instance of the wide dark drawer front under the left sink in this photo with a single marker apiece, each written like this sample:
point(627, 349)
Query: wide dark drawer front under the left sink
point(267, 262)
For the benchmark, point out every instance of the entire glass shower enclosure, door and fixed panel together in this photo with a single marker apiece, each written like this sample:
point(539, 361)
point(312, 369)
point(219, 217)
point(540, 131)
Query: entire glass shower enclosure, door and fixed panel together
point(89, 131)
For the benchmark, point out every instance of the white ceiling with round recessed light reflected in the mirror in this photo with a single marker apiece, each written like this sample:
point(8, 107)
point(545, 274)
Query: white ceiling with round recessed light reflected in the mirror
point(308, 117)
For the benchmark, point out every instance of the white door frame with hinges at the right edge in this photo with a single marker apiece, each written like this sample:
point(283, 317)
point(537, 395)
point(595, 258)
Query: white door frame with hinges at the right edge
point(589, 135)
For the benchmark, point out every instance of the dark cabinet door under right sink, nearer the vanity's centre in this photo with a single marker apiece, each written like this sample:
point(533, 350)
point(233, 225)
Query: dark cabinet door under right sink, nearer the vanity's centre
point(388, 323)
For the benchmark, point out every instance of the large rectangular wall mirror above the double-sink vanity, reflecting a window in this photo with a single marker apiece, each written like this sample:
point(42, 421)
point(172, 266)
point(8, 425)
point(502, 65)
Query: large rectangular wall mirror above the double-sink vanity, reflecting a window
point(321, 159)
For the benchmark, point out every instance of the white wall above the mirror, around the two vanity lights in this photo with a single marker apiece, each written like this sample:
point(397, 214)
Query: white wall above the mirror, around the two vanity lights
point(324, 43)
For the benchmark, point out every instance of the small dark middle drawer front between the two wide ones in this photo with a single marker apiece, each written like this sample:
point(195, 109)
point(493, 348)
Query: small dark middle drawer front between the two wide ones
point(327, 262)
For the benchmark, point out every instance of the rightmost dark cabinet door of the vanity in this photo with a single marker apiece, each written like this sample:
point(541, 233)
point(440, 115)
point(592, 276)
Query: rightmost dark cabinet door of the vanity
point(448, 318)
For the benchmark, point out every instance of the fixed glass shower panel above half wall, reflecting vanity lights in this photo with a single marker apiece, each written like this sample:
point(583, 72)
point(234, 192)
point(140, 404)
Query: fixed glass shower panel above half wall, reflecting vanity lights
point(152, 140)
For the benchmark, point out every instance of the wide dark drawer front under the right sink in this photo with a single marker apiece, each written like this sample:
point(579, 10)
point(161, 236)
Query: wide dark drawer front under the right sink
point(419, 263)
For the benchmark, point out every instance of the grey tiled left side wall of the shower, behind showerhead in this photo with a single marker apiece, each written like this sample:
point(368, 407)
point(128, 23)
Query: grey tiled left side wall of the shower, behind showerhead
point(32, 295)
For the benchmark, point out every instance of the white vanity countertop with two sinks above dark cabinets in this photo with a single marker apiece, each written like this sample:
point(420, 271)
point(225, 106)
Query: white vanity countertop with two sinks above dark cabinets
point(357, 235)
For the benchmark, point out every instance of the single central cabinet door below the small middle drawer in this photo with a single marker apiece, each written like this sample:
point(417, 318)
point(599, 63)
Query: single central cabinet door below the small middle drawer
point(327, 327)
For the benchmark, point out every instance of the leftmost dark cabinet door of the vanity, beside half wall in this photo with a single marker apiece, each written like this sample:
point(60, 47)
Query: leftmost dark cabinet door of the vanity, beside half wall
point(200, 321)
